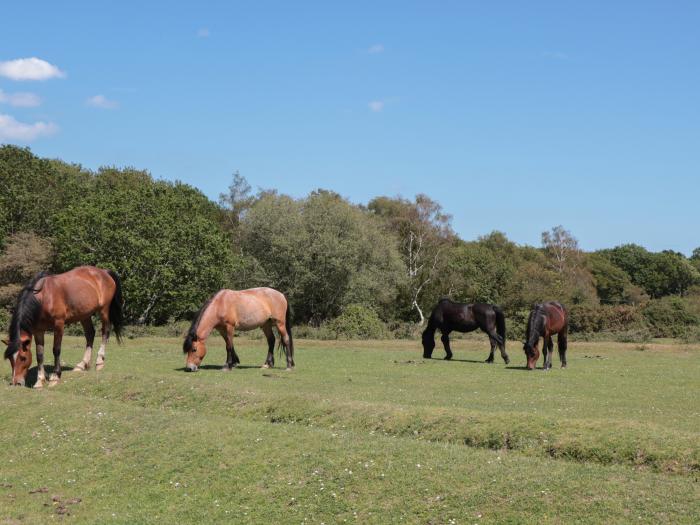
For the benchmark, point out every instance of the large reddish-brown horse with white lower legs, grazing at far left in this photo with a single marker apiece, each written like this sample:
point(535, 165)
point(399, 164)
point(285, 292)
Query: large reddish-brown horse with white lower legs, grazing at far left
point(50, 302)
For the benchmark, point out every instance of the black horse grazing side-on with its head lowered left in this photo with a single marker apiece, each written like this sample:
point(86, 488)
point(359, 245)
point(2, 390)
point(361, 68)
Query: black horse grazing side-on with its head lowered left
point(448, 316)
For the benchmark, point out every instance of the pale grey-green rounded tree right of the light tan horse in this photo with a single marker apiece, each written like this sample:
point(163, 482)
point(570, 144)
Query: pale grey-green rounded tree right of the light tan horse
point(324, 252)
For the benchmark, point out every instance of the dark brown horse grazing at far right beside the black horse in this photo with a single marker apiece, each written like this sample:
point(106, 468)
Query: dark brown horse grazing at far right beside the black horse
point(546, 319)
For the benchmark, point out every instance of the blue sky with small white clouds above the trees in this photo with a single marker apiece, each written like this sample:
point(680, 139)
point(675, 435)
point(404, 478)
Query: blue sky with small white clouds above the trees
point(516, 116)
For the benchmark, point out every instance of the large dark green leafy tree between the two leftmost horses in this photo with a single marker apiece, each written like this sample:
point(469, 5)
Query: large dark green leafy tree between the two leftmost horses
point(163, 238)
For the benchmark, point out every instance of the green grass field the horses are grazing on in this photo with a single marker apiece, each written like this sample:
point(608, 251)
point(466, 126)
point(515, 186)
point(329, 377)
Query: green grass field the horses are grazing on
point(360, 432)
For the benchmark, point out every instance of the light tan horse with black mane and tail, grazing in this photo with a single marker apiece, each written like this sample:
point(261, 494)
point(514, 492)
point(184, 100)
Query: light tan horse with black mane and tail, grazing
point(231, 310)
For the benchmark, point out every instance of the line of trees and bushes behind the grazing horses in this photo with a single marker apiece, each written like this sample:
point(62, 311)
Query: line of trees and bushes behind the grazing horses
point(352, 270)
